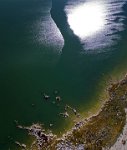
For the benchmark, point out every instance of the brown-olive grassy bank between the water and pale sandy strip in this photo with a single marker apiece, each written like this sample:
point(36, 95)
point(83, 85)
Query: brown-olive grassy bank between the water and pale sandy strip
point(107, 132)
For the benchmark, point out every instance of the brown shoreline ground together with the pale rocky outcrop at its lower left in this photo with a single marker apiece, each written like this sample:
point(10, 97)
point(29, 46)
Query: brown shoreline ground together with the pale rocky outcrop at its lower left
point(99, 131)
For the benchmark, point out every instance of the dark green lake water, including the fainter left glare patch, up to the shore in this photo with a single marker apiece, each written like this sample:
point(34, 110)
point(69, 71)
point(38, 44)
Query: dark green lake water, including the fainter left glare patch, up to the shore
point(31, 61)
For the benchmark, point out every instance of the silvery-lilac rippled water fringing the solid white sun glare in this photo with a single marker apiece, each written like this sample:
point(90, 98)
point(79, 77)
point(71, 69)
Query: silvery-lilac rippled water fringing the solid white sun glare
point(110, 34)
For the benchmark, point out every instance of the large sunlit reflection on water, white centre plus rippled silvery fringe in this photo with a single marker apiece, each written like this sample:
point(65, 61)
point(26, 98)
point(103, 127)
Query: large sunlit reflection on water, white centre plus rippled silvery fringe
point(105, 19)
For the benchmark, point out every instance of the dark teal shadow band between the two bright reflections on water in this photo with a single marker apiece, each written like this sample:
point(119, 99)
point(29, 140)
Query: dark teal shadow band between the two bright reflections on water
point(71, 41)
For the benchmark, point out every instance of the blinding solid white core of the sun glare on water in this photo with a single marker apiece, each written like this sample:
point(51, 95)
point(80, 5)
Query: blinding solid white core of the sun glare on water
point(87, 19)
